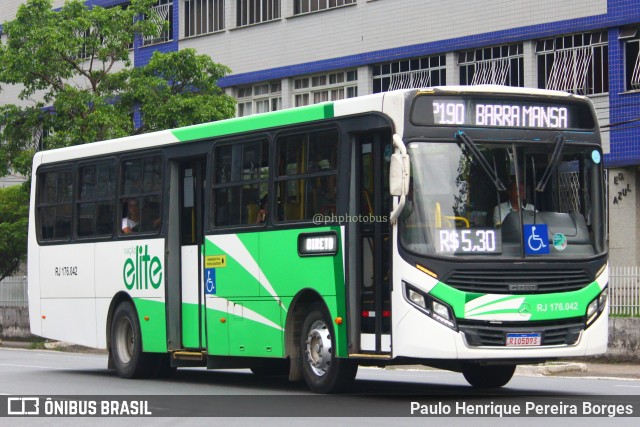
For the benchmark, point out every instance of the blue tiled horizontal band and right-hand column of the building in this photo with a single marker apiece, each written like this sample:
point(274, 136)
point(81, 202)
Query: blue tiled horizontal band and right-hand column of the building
point(625, 145)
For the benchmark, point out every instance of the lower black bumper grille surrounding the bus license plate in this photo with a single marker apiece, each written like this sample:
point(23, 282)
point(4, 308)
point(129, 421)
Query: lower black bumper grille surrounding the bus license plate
point(564, 332)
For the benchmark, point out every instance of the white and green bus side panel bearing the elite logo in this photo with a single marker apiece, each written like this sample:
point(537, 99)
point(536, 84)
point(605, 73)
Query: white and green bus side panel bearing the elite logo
point(137, 268)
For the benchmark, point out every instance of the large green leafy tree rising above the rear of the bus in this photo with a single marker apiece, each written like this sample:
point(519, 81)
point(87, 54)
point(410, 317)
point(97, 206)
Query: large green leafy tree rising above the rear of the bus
point(73, 69)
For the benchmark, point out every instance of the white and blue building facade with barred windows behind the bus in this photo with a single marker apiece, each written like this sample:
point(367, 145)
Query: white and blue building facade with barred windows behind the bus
point(287, 53)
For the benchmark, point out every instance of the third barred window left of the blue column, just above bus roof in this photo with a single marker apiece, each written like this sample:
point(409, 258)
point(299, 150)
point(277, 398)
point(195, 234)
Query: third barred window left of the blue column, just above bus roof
point(410, 73)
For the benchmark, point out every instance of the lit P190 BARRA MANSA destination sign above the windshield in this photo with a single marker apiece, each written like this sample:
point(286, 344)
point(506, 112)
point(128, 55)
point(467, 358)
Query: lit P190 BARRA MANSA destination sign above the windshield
point(500, 112)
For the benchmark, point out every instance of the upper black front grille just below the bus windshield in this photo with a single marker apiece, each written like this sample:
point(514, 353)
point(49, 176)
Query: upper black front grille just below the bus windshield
point(517, 282)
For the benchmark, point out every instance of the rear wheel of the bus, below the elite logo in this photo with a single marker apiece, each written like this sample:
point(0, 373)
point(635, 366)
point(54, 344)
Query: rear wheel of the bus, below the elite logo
point(126, 345)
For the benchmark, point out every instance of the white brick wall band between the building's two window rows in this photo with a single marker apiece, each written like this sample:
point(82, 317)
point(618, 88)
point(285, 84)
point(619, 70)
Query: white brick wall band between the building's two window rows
point(373, 25)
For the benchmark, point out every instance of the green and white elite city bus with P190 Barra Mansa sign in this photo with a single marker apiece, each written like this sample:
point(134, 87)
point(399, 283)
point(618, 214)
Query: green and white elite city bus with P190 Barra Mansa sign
point(457, 227)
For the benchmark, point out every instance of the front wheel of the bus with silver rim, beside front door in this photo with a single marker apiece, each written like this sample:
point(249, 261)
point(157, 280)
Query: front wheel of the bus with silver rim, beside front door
point(322, 371)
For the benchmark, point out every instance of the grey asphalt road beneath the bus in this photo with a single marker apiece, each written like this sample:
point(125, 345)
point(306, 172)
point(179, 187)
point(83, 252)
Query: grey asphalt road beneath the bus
point(55, 373)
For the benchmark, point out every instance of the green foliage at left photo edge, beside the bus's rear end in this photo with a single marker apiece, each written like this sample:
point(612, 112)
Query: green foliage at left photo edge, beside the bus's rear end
point(14, 213)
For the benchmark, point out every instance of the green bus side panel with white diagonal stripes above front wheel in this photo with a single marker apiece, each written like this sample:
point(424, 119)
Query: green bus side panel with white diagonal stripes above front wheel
point(262, 271)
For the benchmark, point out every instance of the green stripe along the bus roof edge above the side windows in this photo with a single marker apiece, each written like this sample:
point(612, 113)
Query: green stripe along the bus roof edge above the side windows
point(251, 123)
